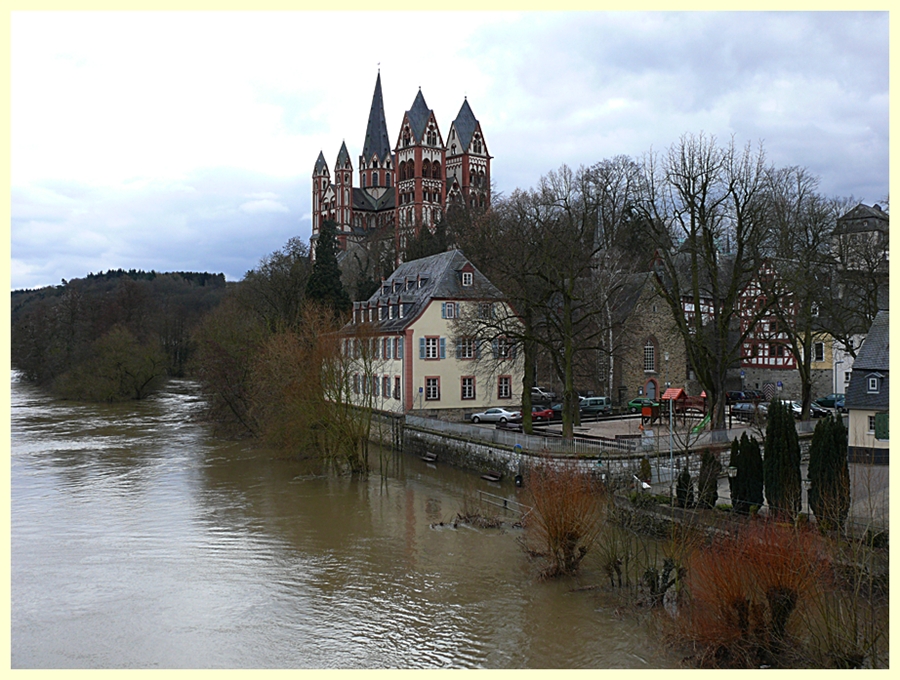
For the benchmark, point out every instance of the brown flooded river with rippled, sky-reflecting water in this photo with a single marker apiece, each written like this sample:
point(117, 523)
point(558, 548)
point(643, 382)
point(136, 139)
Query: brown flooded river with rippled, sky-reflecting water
point(138, 540)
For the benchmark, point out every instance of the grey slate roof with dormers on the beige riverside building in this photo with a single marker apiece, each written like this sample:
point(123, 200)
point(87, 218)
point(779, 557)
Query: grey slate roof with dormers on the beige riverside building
point(442, 280)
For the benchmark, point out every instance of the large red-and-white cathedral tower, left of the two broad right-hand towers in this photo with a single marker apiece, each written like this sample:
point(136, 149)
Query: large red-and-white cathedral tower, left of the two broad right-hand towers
point(421, 160)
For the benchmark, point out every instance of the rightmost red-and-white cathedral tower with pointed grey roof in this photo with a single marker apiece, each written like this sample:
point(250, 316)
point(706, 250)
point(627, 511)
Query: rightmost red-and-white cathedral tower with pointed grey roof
point(468, 162)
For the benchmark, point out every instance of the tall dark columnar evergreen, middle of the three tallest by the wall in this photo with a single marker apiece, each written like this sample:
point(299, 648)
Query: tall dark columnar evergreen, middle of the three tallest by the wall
point(781, 464)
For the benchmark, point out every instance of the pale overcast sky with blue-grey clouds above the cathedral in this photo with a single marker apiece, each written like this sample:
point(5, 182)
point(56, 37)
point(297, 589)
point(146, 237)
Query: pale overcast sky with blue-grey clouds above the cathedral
point(186, 141)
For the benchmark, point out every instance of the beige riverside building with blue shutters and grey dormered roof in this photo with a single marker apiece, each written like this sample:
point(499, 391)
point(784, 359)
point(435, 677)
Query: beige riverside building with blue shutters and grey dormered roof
point(410, 354)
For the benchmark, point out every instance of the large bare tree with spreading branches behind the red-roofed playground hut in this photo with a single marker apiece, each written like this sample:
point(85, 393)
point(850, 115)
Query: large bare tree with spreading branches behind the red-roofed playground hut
point(706, 206)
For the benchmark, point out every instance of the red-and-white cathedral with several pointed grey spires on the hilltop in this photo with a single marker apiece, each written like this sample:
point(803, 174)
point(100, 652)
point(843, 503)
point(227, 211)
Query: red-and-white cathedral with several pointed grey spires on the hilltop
point(404, 189)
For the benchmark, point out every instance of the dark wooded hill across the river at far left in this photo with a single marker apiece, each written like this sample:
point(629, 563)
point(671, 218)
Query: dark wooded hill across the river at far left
point(113, 335)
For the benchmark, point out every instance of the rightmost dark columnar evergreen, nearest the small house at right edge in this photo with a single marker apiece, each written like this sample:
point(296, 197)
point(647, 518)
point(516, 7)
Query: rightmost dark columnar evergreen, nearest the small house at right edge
point(829, 495)
